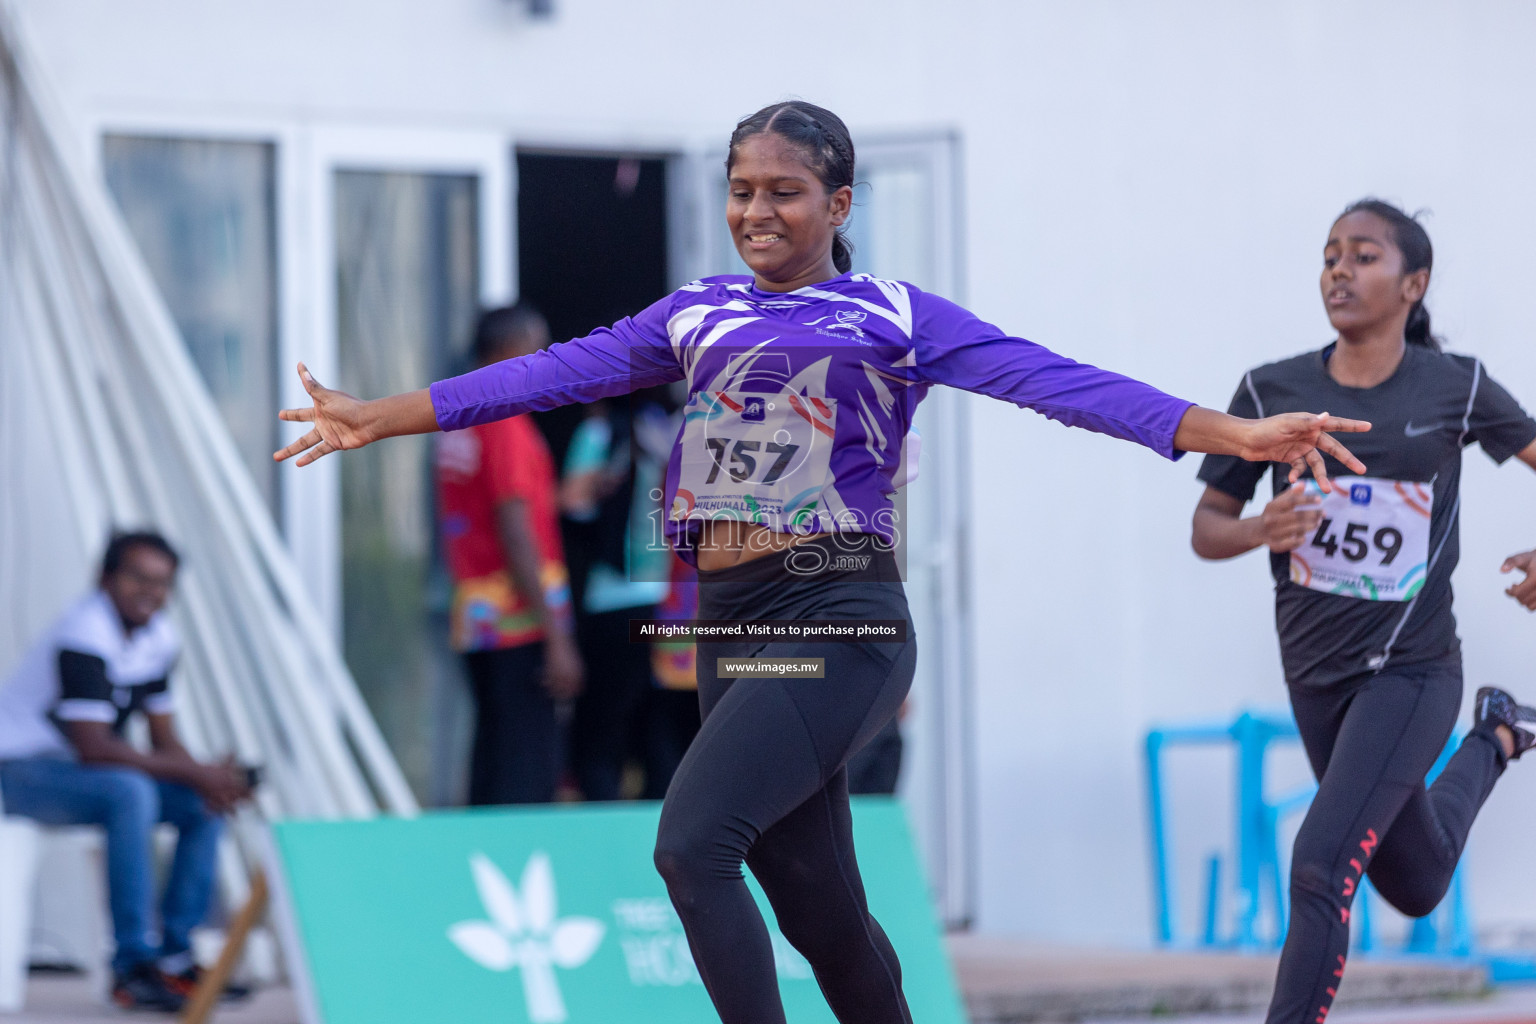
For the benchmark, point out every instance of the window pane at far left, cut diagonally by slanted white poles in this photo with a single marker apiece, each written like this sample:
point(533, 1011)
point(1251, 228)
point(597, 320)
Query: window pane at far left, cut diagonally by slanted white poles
point(205, 217)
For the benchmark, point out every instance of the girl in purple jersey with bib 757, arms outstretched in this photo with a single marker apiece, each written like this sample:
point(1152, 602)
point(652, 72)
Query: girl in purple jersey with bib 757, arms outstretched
point(803, 385)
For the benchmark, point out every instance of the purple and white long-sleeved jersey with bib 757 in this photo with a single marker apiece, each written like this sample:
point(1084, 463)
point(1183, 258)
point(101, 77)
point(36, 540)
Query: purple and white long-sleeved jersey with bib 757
point(799, 403)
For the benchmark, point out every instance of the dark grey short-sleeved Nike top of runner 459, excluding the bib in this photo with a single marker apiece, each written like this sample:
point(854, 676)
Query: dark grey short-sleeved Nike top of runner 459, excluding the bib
point(1432, 408)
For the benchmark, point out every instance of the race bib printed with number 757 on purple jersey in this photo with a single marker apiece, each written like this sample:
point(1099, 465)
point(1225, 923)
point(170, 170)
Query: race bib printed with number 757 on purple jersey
point(756, 458)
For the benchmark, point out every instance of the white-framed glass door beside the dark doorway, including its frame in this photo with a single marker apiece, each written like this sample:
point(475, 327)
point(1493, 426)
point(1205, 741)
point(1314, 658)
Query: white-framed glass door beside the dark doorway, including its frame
point(406, 242)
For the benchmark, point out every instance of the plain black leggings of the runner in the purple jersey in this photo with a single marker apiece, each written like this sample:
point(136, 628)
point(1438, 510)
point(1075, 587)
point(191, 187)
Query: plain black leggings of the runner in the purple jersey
point(766, 782)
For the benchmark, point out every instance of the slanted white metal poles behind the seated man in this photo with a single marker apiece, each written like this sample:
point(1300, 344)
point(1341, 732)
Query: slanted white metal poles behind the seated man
point(105, 423)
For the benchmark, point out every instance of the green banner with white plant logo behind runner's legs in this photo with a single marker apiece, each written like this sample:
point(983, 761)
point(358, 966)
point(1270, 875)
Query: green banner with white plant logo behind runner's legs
point(551, 916)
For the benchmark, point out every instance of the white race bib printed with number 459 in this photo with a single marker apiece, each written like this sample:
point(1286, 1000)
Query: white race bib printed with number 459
point(1372, 543)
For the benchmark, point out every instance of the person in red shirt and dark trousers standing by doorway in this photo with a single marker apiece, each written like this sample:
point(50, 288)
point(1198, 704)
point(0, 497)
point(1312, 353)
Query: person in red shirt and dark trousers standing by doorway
point(512, 612)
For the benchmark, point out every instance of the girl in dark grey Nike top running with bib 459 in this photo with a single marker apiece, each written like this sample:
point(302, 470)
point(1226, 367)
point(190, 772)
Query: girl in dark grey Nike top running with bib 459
point(1363, 596)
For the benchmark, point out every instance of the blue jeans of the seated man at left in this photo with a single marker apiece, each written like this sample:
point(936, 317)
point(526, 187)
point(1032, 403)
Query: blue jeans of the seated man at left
point(128, 804)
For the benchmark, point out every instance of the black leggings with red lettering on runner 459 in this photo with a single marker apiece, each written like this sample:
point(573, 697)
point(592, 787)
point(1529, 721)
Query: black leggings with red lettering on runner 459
point(1371, 742)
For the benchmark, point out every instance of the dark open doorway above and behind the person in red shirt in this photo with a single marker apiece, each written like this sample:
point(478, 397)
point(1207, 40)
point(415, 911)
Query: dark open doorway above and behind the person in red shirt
point(592, 248)
